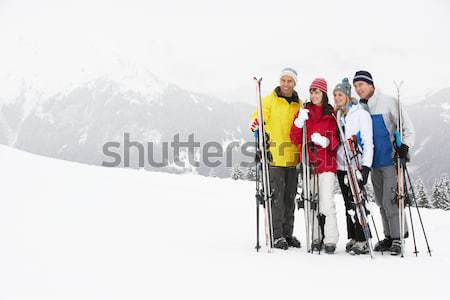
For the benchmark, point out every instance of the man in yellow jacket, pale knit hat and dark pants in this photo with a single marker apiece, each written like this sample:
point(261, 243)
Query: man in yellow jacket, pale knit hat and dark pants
point(279, 110)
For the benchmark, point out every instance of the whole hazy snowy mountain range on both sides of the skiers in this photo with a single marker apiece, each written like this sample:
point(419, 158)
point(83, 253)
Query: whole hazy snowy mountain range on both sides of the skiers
point(75, 122)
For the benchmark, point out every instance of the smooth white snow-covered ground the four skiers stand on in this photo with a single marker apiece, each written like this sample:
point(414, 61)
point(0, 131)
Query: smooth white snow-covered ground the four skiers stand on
point(84, 232)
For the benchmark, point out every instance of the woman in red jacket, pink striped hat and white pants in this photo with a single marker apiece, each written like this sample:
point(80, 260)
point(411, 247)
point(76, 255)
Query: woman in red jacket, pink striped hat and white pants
point(322, 149)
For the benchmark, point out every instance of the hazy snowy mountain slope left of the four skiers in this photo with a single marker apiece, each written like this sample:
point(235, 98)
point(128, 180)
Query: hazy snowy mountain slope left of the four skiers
point(76, 123)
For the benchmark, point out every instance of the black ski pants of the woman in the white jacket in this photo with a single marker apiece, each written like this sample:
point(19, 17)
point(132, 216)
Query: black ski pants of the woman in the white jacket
point(354, 229)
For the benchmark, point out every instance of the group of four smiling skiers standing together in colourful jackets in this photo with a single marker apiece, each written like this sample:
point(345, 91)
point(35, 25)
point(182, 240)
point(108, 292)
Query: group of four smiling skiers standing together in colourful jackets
point(371, 121)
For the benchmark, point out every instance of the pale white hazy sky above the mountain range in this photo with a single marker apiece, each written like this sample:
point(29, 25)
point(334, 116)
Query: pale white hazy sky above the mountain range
point(217, 46)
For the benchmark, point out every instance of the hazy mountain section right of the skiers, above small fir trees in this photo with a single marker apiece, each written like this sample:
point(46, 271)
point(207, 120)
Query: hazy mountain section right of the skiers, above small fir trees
point(431, 119)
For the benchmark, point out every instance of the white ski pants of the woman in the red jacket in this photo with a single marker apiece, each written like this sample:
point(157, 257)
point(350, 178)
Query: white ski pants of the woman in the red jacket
point(326, 207)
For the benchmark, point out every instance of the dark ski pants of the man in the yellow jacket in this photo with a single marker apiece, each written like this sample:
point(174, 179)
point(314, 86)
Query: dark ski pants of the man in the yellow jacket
point(283, 183)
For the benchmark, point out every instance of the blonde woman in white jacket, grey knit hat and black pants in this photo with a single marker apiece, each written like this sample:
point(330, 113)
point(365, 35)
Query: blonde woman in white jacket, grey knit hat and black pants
point(357, 126)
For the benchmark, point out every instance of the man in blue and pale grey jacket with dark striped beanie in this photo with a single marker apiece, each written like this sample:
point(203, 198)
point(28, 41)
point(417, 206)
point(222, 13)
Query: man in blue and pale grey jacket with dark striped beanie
point(384, 113)
